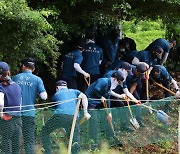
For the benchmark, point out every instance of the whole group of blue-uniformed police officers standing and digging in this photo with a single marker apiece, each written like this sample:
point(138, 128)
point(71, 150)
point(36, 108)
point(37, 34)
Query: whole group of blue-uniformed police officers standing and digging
point(115, 69)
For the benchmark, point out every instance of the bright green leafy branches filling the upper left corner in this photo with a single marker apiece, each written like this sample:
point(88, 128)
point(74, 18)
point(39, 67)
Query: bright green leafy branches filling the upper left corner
point(26, 33)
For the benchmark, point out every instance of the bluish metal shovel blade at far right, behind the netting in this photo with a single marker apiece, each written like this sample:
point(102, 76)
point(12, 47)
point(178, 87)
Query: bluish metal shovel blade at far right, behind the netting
point(163, 117)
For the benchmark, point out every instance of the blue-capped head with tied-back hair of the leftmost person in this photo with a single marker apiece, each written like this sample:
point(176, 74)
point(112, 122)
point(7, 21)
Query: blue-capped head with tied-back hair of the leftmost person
point(4, 72)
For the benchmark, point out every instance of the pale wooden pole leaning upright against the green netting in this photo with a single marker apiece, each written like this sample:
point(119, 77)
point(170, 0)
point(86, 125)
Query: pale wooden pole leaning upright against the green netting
point(73, 126)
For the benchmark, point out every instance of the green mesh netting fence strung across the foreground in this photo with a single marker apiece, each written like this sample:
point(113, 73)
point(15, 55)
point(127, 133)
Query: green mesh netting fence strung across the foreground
point(97, 129)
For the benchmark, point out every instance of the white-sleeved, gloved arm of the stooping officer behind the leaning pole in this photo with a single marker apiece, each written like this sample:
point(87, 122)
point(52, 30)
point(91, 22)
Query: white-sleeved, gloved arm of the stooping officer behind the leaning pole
point(85, 105)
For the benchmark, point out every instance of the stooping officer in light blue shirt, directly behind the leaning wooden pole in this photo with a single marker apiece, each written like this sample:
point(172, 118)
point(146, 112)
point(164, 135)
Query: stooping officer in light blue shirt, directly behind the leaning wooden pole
point(63, 116)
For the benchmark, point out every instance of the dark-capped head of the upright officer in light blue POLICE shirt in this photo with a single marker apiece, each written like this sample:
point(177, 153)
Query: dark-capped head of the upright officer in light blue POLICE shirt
point(28, 64)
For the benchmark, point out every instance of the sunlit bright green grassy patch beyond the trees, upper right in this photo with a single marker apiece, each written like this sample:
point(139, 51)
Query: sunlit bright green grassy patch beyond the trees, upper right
point(143, 32)
